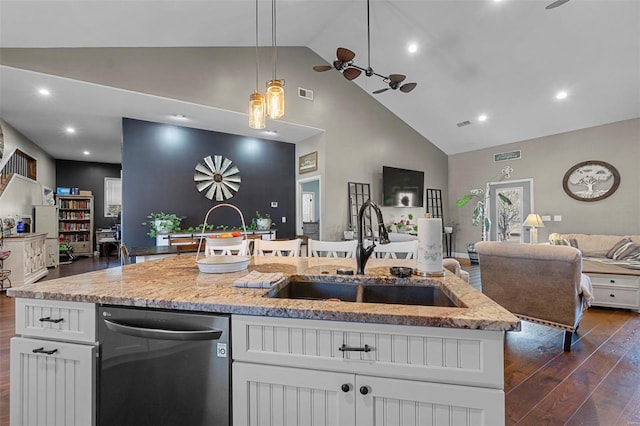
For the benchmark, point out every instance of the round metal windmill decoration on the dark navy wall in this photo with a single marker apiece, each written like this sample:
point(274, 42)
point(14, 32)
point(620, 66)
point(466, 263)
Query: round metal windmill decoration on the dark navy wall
point(217, 178)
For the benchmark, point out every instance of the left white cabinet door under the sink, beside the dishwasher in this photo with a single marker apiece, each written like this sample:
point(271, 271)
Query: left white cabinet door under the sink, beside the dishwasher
point(278, 396)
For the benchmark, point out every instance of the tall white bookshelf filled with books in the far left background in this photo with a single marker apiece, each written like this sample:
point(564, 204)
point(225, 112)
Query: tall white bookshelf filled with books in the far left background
point(75, 223)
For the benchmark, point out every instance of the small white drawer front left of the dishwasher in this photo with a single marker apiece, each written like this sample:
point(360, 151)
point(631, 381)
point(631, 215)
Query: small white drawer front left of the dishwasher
point(60, 320)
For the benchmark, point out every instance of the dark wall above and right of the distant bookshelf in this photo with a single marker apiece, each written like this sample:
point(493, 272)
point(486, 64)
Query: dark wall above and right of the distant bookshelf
point(88, 176)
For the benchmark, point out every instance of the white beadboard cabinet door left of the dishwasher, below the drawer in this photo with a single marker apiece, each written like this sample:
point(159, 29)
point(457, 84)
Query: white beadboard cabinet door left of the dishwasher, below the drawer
point(55, 388)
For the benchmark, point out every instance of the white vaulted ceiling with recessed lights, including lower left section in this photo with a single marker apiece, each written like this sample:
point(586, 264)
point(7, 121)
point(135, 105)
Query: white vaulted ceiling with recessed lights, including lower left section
point(506, 59)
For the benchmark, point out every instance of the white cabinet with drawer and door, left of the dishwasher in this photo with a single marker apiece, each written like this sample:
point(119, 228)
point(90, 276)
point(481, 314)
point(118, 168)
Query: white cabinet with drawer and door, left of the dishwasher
point(53, 364)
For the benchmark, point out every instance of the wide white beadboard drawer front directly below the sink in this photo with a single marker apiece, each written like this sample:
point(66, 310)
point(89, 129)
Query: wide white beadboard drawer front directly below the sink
point(467, 357)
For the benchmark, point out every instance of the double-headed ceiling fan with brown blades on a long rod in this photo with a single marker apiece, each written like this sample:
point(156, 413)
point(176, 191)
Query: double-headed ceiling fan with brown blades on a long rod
point(344, 64)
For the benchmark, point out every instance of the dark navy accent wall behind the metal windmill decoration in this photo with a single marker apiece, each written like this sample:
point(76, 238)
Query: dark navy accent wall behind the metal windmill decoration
point(158, 163)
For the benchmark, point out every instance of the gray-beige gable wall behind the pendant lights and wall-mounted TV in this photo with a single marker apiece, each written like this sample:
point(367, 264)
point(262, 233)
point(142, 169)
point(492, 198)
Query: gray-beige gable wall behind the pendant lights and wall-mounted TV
point(360, 134)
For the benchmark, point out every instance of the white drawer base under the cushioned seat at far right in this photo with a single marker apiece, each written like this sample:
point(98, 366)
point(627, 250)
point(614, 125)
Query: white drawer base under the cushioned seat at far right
point(616, 291)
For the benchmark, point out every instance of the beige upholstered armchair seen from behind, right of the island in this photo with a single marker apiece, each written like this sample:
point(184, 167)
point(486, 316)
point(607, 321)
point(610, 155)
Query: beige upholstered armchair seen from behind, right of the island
point(538, 283)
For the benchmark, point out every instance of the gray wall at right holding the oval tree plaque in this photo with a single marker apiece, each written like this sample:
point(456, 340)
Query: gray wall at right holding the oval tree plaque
point(546, 160)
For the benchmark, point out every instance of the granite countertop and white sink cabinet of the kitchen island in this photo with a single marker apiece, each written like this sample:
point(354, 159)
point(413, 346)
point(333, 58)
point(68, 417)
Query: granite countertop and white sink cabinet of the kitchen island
point(356, 363)
